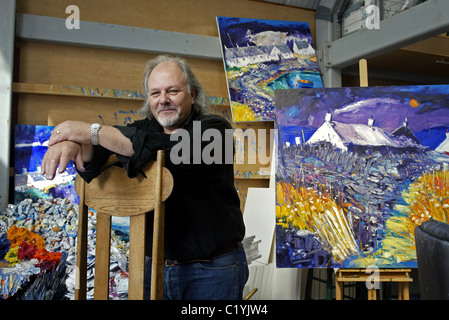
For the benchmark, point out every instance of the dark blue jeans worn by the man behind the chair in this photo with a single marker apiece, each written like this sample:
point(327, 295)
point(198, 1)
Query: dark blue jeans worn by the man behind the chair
point(223, 278)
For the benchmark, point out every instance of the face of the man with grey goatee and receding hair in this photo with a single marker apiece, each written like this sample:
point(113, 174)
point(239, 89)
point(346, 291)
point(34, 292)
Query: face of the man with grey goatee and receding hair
point(168, 96)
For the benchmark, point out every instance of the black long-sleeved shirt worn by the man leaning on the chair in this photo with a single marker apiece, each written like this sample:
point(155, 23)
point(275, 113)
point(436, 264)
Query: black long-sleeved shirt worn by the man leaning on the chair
point(202, 214)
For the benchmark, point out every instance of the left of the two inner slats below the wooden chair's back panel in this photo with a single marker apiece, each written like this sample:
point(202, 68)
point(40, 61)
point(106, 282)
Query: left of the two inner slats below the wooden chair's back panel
point(102, 256)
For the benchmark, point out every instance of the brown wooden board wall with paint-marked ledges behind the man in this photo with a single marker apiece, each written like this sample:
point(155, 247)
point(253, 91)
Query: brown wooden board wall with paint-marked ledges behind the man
point(52, 68)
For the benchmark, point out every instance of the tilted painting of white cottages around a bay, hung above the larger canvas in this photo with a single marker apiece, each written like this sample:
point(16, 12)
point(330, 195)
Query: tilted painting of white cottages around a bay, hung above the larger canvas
point(261, 56)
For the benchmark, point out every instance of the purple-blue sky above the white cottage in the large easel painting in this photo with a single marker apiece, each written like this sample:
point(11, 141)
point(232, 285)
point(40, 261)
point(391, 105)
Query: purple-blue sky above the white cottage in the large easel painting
point(389, 106)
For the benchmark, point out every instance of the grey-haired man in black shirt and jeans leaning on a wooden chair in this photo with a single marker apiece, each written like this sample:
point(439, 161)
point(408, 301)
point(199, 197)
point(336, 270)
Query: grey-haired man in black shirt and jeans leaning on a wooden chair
point(204, 224)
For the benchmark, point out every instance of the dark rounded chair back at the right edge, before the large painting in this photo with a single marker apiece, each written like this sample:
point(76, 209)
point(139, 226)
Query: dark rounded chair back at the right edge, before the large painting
point(432, 253)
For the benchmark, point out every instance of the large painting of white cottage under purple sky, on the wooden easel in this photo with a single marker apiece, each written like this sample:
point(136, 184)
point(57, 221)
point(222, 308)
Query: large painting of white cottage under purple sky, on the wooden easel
point(358, 169)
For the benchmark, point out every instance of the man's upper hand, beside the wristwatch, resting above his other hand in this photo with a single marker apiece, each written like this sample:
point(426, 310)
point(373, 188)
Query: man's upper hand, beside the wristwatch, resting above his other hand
point(77, 131)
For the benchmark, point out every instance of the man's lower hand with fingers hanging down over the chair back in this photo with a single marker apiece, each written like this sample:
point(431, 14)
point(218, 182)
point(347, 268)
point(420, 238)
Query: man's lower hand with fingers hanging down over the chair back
point(60, 154)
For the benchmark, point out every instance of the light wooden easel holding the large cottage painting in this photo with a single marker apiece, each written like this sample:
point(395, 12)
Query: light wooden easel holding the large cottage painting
point(402, 276)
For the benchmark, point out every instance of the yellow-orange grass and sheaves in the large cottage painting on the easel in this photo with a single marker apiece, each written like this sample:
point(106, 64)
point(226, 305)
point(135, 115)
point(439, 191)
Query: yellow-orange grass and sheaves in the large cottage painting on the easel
point(312, 209)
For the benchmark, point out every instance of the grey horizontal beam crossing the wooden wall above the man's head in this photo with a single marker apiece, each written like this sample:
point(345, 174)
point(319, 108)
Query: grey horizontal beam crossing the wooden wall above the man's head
point(117, 37)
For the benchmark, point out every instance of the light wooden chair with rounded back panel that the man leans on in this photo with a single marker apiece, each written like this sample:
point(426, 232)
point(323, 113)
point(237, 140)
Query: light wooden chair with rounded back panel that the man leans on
point(113, 193)
